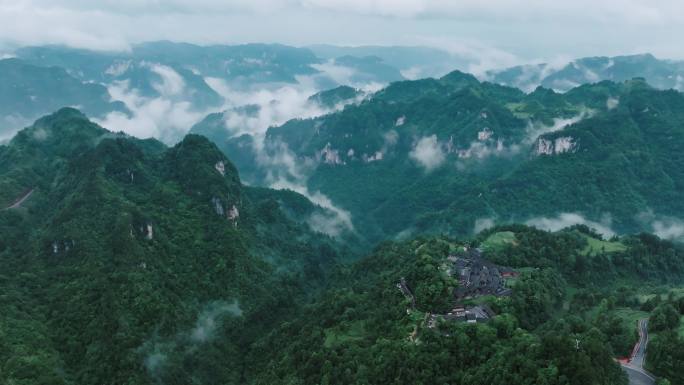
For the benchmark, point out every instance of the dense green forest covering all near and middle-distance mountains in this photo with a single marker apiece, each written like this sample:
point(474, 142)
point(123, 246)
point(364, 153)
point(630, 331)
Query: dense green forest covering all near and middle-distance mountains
point(129, 262)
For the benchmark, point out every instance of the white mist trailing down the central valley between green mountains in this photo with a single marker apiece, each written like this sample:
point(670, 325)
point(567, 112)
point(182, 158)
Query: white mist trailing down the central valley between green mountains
point(276, 104)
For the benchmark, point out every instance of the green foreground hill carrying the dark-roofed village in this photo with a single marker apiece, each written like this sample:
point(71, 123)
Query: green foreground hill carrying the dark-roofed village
point(393, 318)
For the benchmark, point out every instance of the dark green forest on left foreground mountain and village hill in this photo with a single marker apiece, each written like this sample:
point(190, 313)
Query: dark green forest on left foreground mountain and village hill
point(133, 263)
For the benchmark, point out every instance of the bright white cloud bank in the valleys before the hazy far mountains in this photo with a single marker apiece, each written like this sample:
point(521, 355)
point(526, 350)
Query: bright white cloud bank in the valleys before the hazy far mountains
point(169, 116)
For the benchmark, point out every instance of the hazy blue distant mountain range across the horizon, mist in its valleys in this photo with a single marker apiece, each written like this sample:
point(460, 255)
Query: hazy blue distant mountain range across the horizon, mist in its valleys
point(153, 79)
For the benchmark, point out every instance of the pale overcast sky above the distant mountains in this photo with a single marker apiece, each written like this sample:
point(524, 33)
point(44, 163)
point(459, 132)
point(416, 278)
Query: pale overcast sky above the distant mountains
point(502, 30)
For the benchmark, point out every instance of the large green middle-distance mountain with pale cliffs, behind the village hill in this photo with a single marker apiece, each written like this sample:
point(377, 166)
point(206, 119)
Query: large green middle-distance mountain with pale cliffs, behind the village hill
point(453, 154)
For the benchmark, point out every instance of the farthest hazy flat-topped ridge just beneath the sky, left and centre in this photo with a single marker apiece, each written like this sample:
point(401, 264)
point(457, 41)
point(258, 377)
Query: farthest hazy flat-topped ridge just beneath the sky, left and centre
point(242, 66)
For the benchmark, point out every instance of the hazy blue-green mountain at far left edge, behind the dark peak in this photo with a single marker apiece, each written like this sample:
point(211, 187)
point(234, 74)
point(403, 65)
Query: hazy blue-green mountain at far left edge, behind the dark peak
point(28, 91)
